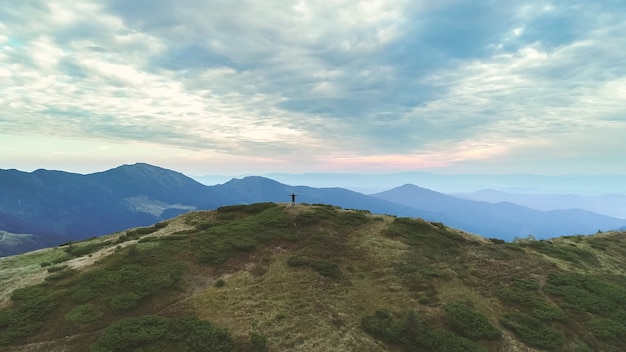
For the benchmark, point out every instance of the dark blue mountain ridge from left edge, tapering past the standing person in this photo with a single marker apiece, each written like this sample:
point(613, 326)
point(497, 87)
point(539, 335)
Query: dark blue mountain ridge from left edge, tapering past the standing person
point(53, 207)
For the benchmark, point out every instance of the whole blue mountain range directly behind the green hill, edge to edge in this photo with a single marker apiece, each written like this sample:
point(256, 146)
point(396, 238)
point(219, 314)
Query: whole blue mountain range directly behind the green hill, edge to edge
point(55, 207)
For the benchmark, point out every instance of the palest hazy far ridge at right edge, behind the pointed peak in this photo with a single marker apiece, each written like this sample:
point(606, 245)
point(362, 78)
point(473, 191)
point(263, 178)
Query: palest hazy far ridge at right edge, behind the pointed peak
point(608, 204)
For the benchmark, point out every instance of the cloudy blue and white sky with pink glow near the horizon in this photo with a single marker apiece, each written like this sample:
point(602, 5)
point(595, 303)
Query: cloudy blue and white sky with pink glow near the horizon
point(245, 86)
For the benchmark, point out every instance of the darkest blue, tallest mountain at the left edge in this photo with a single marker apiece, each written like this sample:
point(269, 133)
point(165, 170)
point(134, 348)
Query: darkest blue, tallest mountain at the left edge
point(56, 206)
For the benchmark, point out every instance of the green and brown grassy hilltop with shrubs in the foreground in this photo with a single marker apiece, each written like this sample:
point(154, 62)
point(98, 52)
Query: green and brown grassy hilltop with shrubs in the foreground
point(275, 277)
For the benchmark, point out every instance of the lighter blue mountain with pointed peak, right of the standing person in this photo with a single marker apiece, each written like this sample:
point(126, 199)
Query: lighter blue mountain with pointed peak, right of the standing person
point(501, 220)
